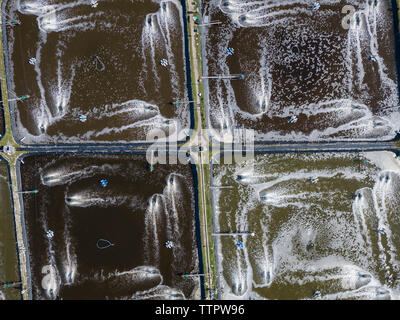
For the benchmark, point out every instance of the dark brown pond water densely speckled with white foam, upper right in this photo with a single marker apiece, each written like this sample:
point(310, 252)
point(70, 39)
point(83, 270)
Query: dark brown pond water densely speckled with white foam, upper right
point(303, 63)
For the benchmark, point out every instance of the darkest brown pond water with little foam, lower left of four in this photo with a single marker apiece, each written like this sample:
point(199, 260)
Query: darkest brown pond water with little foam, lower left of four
point(138, 211)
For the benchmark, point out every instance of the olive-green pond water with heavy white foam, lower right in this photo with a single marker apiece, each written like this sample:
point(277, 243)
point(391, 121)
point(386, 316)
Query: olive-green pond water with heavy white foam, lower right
point(309, 237)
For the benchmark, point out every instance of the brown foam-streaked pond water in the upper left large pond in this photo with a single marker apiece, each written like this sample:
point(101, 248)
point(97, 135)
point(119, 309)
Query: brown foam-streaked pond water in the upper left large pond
point(102, 63)
